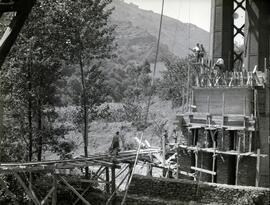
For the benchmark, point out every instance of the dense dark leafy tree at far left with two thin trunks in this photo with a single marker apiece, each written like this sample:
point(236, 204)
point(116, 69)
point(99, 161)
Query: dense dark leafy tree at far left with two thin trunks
point(30, 79)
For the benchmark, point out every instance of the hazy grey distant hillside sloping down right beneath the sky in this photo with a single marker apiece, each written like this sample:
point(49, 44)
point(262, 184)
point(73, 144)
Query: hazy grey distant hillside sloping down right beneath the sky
point(137, 28)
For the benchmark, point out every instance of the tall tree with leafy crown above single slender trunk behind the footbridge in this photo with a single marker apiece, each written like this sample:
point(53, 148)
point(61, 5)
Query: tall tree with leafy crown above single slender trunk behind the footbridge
point(88, 38)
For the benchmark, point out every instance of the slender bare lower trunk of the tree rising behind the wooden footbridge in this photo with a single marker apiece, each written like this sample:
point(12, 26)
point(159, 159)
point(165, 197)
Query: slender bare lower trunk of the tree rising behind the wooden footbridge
point(85, 116)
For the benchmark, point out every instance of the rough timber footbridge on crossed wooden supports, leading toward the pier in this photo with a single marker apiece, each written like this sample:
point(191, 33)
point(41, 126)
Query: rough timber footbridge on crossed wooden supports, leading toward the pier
point(102, 166)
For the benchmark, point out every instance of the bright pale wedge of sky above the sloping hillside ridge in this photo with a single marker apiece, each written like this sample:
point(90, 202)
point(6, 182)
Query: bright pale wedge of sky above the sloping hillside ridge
point(188, 11)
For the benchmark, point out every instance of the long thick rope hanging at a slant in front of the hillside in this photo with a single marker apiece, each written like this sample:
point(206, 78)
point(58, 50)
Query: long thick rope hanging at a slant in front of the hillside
point(155, 64)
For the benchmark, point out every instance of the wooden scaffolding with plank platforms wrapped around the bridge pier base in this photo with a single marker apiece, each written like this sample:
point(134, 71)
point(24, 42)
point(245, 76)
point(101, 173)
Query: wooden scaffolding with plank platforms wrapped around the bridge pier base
point(220, 103)
